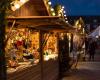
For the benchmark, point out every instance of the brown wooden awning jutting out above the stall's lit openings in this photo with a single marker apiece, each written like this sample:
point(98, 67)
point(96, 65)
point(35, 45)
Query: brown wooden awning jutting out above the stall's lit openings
point(51, 23)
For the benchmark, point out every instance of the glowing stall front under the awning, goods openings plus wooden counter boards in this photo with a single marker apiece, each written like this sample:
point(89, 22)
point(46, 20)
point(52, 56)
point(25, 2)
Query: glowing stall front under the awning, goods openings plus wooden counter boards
point(24, 60)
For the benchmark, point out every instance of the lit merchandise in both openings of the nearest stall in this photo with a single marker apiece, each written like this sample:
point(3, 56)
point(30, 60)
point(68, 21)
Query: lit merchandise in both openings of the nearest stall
point(22, 49)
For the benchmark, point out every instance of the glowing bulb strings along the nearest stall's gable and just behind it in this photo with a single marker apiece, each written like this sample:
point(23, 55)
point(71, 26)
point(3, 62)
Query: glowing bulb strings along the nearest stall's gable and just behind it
point(16, 4)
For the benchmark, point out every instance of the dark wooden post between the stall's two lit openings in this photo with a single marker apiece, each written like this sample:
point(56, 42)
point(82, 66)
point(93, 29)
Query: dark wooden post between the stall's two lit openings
point(41, 51)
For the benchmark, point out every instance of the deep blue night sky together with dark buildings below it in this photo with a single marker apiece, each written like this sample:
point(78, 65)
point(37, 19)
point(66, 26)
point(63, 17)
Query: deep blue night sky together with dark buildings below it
point(89, 10)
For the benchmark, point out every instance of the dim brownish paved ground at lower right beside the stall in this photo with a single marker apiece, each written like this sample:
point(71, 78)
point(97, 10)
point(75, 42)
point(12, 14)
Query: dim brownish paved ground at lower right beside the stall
point(88, 70)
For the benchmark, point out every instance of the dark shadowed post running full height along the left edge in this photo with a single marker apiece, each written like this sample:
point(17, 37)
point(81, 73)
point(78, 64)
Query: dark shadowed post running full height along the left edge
point(3, 7)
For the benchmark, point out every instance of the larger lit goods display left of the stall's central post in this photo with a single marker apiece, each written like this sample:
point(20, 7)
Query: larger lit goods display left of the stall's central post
point(22, 48)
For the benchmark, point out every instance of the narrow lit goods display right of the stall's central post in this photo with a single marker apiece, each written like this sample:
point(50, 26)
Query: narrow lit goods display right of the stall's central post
point(50, 46)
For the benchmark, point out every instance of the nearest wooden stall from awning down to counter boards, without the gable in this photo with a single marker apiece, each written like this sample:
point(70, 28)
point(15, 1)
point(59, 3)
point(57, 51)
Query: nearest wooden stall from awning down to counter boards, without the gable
point(33, 42)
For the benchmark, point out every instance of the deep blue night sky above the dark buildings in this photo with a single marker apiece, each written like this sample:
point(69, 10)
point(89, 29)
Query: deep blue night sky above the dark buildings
point(80, 7)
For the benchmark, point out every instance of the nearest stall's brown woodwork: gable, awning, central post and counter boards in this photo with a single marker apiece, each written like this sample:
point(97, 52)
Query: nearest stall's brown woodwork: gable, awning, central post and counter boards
point(34, 15)
